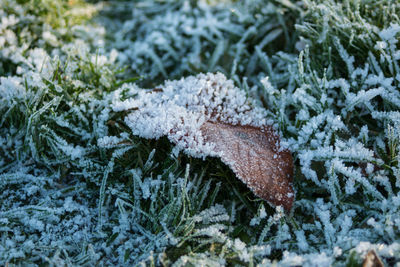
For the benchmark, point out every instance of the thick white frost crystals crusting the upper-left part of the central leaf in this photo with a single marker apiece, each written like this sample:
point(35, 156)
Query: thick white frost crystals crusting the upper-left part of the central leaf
point(178, 109)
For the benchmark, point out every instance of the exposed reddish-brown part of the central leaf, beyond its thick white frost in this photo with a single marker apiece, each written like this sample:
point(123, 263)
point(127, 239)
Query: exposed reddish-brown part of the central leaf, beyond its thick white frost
point(255, 156)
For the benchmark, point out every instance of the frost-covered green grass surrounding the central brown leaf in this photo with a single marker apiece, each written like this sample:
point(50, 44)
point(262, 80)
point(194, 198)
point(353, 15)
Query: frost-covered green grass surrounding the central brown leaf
point(79, 187)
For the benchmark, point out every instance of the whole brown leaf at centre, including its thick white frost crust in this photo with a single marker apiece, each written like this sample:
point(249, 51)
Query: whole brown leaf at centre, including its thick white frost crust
point(207, 115)
